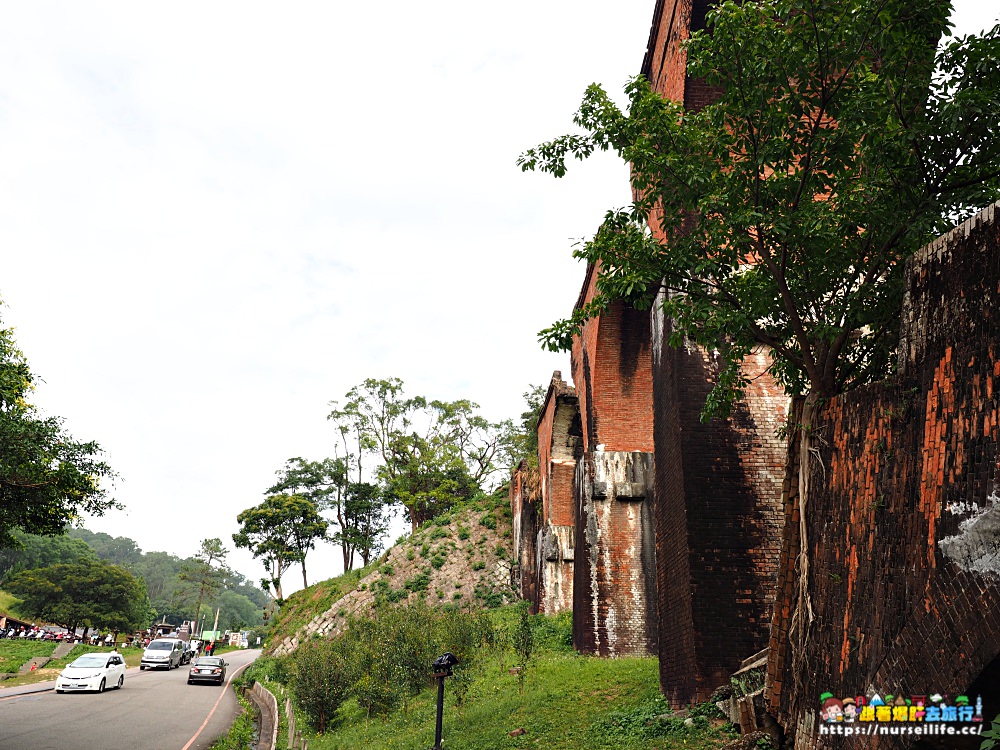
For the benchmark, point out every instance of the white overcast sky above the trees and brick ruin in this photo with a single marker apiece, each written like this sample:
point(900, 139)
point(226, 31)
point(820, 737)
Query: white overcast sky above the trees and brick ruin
point(215, 217)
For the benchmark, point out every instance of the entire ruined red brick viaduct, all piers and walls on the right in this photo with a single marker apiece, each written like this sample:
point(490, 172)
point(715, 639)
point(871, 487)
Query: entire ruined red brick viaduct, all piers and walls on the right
point(674, 537)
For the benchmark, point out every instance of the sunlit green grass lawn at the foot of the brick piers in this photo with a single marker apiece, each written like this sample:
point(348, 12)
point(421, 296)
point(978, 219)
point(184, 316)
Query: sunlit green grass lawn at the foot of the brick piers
point(570, 702)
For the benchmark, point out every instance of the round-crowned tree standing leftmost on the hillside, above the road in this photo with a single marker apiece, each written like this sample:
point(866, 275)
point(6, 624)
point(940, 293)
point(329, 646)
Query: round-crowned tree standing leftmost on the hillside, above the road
point(280, 531)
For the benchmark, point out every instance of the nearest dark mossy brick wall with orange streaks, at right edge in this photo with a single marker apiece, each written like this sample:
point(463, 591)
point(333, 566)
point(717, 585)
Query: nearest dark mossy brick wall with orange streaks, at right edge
point(903, 511)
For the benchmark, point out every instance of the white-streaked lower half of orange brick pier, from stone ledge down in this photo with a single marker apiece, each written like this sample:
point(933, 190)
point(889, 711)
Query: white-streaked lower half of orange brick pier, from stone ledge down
point(614, 602)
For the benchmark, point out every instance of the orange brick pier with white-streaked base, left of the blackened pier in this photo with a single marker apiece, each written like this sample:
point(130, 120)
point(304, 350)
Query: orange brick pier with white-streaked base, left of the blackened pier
point(614, 602)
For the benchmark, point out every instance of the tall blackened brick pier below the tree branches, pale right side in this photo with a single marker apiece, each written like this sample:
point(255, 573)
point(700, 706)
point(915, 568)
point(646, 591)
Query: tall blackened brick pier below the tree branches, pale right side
point(718, 519)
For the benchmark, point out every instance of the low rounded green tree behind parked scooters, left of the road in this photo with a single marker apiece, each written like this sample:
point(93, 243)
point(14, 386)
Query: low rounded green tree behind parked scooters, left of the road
point(89, 593)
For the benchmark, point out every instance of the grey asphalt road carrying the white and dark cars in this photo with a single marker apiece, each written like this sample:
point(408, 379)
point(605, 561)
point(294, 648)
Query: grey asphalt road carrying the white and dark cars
point(155, 710)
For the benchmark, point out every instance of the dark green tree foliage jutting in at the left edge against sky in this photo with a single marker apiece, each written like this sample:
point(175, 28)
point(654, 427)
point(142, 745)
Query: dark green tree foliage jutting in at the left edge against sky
point(47, 478)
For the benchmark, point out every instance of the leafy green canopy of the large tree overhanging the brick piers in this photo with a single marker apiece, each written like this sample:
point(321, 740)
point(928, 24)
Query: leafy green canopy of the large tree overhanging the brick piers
point(781, 214)
